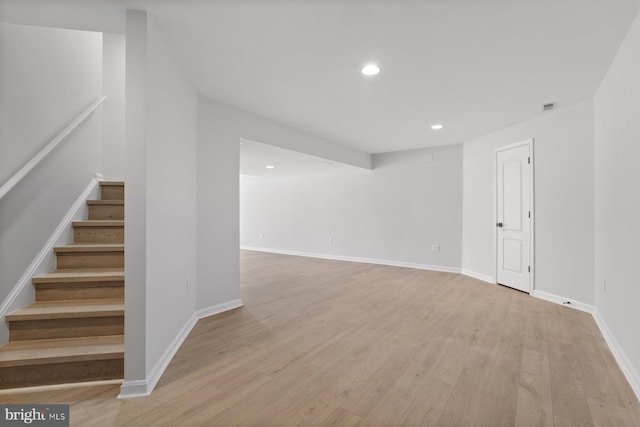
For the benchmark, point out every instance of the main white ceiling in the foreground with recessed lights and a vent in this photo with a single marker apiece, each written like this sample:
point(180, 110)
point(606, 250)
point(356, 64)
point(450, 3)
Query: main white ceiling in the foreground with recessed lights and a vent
point(473, 65)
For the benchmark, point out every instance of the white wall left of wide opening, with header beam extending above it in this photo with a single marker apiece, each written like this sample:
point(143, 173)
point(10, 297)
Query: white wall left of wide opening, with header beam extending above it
point(220, 128)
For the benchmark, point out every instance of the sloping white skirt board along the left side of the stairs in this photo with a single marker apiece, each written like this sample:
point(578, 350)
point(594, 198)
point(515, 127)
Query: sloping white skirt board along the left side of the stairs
point(45, 257)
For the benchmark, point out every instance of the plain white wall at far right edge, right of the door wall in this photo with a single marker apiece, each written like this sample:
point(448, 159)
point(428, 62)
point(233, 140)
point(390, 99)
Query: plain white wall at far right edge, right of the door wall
point(617, 201)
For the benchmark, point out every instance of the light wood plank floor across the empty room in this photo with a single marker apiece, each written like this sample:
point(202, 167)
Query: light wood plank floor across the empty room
point(334, 343)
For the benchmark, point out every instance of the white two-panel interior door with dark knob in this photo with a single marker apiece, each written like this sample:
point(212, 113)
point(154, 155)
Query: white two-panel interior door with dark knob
point(513, 222)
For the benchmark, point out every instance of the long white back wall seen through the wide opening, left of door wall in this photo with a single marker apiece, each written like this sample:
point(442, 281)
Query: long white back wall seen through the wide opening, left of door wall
point(394, 213)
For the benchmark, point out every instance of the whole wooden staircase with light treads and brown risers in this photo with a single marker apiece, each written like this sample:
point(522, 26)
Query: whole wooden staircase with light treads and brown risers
point(74, 332)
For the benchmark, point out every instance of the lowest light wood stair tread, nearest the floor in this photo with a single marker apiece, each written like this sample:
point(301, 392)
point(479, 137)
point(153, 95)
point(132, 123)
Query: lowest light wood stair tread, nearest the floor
point(37, 352)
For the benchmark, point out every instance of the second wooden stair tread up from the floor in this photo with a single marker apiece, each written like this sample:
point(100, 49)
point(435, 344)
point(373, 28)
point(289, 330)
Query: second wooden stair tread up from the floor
point(68, 309)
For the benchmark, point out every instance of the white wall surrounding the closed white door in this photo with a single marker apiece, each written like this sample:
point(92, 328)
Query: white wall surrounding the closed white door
point(563, 167)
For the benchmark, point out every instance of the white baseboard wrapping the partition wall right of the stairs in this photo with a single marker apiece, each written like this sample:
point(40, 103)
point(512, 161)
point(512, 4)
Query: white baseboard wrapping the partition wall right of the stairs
point(143, 388)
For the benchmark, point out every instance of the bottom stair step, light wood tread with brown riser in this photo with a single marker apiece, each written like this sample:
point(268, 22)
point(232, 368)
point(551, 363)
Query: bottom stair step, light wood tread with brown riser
point(59, 361)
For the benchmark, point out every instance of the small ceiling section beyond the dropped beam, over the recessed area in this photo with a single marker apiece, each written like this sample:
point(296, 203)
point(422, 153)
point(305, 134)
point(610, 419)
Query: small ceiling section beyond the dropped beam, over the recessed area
point(255, 156)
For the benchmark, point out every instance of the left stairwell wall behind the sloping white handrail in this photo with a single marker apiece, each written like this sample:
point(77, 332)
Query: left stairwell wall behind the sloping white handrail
point(47, 78)
